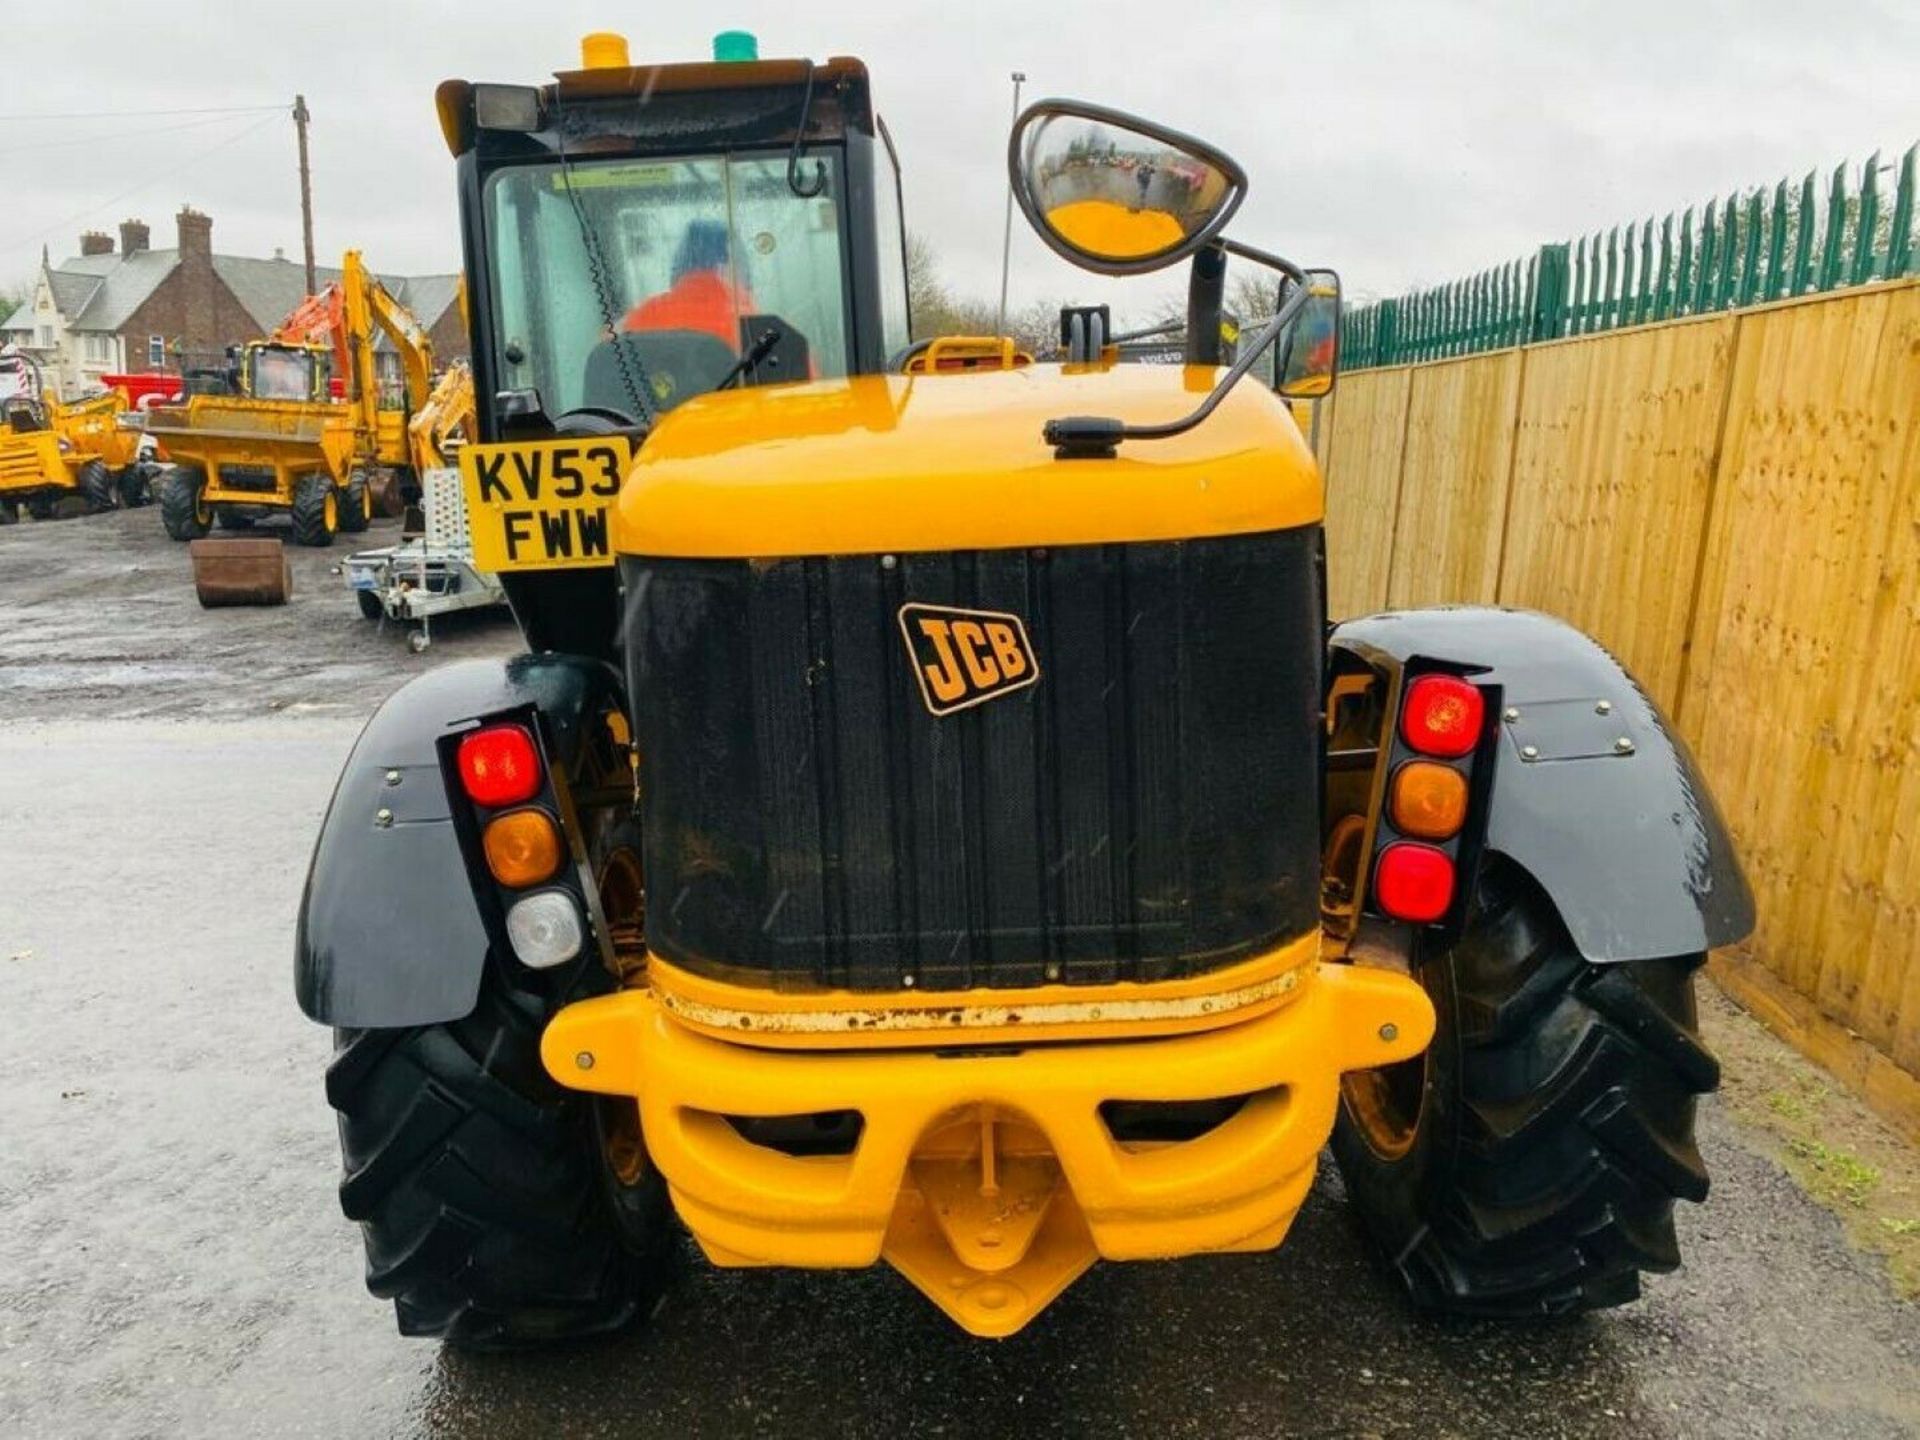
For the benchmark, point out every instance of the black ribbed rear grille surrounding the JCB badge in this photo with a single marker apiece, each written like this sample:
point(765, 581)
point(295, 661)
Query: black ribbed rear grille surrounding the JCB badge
point(1149, 809)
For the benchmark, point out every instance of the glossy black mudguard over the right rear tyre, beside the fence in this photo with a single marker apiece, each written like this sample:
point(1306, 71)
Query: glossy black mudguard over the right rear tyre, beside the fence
point(1608, 813)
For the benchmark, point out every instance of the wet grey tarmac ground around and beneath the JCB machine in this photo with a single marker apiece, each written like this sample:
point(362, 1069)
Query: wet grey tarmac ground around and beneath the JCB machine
point(174, 1260)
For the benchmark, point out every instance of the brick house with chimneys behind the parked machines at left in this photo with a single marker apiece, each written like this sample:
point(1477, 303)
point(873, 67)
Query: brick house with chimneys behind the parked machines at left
point(137, 308)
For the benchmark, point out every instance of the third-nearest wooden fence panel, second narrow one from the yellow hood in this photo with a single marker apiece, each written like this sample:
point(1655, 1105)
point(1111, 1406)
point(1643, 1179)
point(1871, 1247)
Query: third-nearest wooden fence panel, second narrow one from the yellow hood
point(1454, 491)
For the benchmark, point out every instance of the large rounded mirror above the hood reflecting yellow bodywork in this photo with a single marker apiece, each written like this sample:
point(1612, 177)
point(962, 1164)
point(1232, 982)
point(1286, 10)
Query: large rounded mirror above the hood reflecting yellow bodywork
point(1118, 195)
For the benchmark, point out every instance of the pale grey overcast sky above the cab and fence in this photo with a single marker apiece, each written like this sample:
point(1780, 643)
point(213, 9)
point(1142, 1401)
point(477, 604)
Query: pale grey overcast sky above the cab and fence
point(1401, 141)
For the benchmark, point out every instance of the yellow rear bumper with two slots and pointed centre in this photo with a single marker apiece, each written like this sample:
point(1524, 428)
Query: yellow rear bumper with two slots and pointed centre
point(990, 1178)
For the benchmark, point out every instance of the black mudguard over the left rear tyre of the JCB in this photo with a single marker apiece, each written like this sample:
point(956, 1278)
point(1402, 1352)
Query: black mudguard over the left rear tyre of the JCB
point(391, 932)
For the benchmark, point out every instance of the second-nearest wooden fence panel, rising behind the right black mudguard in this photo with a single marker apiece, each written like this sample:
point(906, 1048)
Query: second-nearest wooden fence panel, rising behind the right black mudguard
point(1612, 475)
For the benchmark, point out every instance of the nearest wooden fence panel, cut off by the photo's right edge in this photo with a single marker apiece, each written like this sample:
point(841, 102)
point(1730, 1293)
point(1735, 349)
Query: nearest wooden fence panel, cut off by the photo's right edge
point(1804, 686)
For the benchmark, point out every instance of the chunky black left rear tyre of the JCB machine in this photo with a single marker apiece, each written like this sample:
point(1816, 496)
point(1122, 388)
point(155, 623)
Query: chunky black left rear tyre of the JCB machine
point(477, 1184)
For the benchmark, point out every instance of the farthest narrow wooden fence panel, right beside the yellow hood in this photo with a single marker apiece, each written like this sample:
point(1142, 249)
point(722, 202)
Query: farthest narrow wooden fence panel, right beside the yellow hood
point(1362, 448)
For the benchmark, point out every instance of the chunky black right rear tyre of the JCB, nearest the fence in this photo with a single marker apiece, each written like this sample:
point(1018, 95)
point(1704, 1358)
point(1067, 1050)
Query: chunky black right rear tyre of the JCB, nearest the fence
point(1554, 1128)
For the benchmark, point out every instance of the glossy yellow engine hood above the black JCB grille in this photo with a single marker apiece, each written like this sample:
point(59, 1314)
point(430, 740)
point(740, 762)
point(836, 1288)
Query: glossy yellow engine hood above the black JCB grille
point(957, 462)
